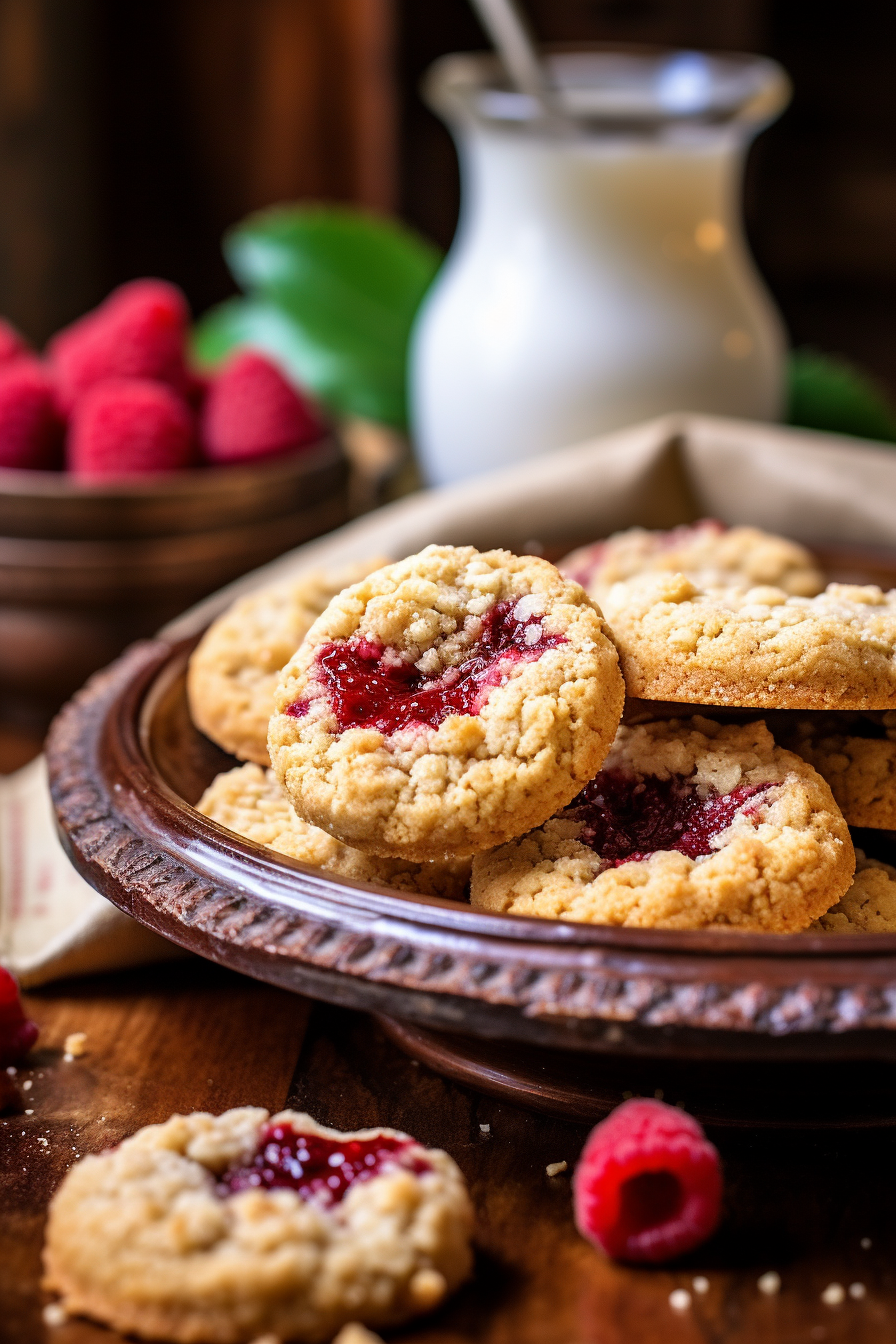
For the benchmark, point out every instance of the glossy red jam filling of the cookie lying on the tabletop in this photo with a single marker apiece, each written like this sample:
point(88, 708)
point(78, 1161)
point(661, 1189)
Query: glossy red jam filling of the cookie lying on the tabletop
point(318, 1167)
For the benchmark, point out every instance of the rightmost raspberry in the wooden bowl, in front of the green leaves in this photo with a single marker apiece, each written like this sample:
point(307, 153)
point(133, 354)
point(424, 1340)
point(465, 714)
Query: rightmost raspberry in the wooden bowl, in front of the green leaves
point(252, 411)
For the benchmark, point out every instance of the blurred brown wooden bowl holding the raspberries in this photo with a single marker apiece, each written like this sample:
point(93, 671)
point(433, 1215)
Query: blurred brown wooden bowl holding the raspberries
point(87, 569)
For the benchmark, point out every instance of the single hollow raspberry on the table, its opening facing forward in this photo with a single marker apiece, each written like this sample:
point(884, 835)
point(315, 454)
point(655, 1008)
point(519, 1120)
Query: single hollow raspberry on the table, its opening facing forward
point(648, 1186)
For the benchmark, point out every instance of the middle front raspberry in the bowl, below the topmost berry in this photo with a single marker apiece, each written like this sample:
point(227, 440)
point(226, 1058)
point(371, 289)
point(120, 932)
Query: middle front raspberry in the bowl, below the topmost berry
point(130, 425)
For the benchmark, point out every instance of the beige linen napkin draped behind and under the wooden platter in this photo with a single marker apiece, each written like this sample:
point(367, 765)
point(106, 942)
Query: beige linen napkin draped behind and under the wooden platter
point(674, 470)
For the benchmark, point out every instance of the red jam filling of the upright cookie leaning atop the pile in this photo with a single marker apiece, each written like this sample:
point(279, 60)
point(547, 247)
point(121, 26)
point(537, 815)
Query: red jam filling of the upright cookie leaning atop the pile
point(369, 690)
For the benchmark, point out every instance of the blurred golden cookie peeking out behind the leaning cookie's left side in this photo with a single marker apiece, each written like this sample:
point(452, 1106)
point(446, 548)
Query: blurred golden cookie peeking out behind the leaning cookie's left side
point(234, 669)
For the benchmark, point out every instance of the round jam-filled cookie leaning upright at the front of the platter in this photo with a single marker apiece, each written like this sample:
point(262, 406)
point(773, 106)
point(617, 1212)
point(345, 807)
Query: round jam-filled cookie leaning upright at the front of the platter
point(447, 704)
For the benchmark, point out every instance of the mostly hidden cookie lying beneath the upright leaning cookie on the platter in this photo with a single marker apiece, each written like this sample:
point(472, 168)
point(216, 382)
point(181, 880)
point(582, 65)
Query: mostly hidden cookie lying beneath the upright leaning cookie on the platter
point(251, 803)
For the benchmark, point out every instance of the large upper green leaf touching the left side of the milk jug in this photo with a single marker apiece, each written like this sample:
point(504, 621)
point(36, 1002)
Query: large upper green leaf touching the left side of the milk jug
point(351, 284)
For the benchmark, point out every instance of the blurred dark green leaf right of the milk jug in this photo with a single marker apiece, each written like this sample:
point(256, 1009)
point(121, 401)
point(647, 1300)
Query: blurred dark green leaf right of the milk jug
point(830, 394)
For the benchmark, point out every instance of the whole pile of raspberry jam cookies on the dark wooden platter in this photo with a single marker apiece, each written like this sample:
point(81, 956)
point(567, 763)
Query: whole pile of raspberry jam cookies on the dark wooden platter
point(461, 717)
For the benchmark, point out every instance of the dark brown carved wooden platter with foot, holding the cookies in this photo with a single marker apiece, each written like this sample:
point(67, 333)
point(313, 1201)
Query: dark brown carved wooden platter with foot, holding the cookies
point(126, 767)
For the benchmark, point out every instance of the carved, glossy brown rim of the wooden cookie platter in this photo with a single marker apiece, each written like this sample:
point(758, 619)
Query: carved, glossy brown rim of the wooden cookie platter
point(431, 960)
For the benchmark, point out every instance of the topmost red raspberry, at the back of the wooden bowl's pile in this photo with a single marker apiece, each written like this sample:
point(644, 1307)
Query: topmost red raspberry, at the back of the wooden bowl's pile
point(140, 331)
